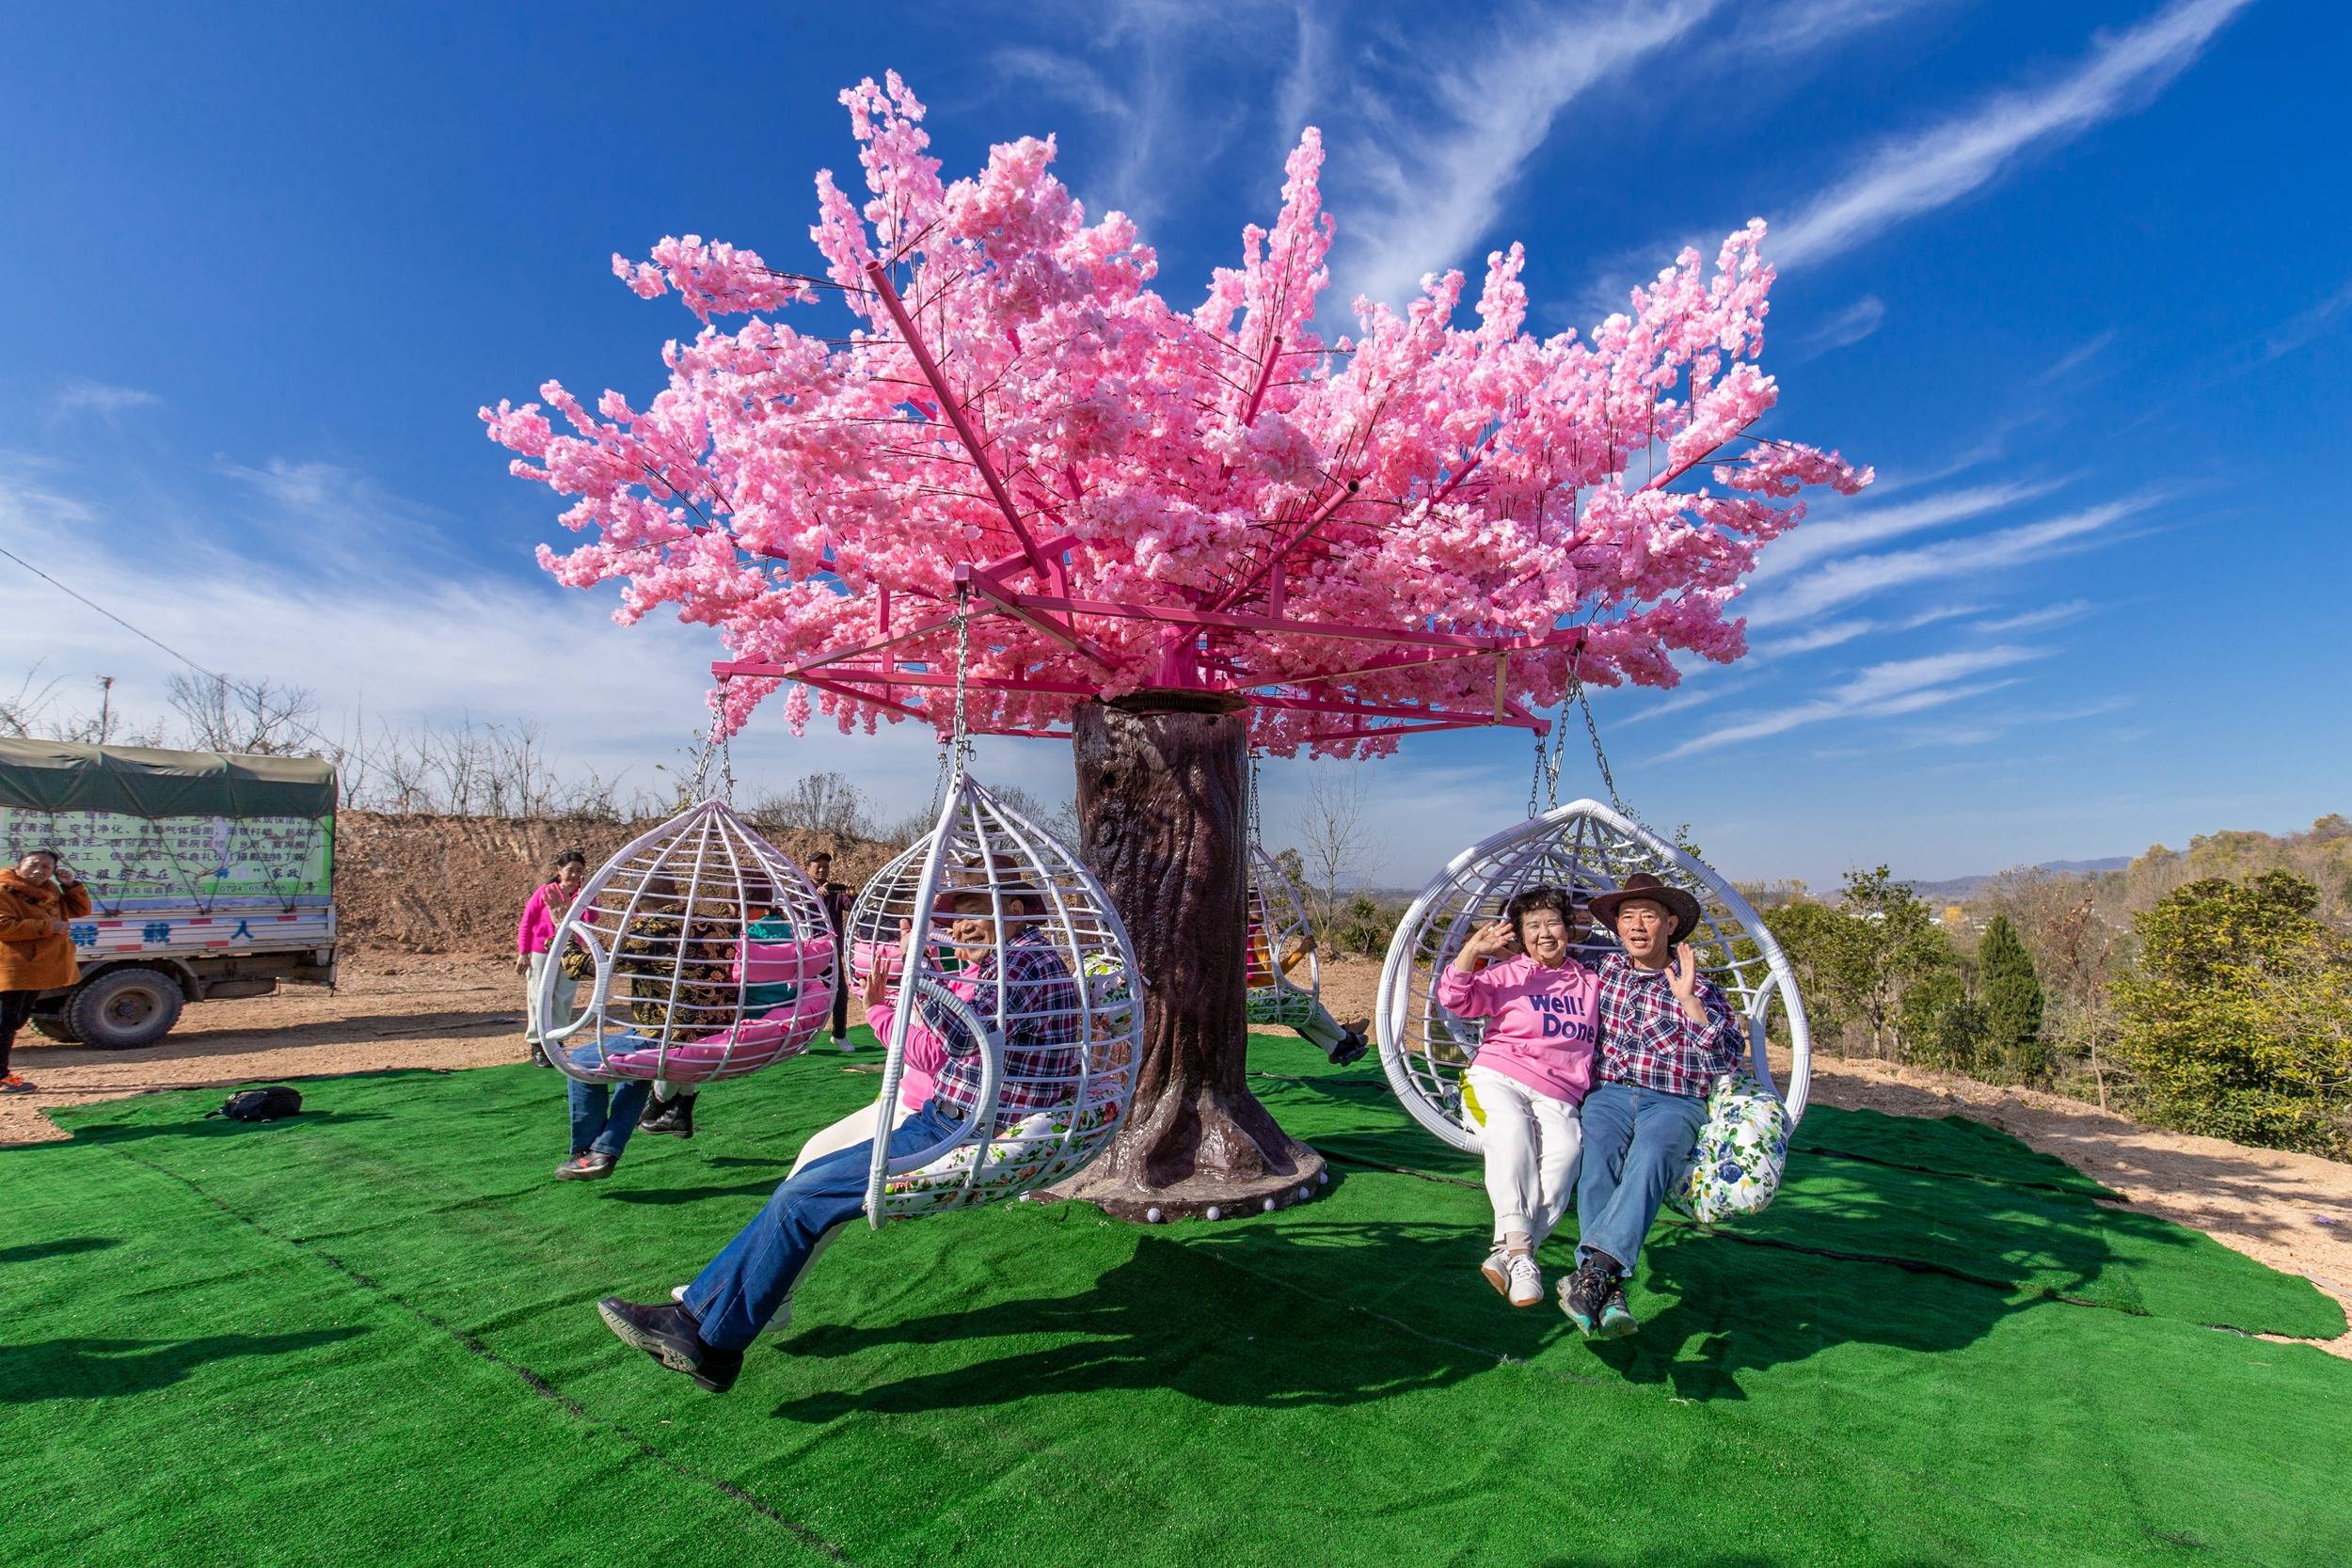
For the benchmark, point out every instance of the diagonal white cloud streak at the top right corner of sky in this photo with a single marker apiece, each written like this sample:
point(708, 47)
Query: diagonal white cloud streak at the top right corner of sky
point(1927, 170)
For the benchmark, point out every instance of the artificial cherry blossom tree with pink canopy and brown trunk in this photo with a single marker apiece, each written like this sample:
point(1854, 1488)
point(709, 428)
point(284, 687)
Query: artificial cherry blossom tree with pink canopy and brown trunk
point(1168, 535)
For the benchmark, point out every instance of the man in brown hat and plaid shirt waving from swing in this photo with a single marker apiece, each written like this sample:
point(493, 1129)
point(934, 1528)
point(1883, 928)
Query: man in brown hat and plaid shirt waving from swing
point(1666, 1036)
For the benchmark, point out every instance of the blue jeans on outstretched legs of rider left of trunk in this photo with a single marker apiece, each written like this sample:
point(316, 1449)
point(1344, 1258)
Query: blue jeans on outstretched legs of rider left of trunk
point(742, 1287)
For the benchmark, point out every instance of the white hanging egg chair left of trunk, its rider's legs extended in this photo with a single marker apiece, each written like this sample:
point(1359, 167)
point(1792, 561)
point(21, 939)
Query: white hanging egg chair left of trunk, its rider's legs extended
point(1060, 1047)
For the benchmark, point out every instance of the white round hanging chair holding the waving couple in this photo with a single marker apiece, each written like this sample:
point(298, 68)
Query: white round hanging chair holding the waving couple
point(1586, 850)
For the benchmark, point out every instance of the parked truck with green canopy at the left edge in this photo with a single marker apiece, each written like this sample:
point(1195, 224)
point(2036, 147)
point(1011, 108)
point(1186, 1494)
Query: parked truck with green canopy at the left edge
point(211, 876)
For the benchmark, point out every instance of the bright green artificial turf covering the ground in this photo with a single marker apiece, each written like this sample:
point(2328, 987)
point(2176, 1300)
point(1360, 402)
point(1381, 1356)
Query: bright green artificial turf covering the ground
point(366, 1336)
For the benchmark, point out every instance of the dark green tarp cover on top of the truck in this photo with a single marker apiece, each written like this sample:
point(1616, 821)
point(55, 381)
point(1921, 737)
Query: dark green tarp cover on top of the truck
point(145, 782)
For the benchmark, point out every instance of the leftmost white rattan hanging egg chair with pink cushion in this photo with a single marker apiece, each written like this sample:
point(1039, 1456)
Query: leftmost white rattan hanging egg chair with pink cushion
point(711, 958)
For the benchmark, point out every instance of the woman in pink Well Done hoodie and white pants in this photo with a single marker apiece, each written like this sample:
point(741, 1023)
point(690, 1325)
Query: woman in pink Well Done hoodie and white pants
point(1530, 1073)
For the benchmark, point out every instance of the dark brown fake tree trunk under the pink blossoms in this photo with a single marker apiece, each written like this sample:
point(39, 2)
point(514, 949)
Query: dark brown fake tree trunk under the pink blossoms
point(1161, 803)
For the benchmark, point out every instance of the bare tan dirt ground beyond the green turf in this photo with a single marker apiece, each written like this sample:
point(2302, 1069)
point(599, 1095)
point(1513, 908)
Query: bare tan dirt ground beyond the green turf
point(2292, 1212)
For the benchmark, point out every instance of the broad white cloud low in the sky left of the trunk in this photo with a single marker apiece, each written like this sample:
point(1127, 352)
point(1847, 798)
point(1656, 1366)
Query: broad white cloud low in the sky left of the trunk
point(389, 643)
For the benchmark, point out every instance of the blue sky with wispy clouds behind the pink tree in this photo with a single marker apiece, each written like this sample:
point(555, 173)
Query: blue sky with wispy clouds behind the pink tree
point(2073, 279)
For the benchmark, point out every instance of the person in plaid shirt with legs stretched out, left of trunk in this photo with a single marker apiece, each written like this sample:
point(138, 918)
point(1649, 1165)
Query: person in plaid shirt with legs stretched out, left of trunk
point(754, 1275)
